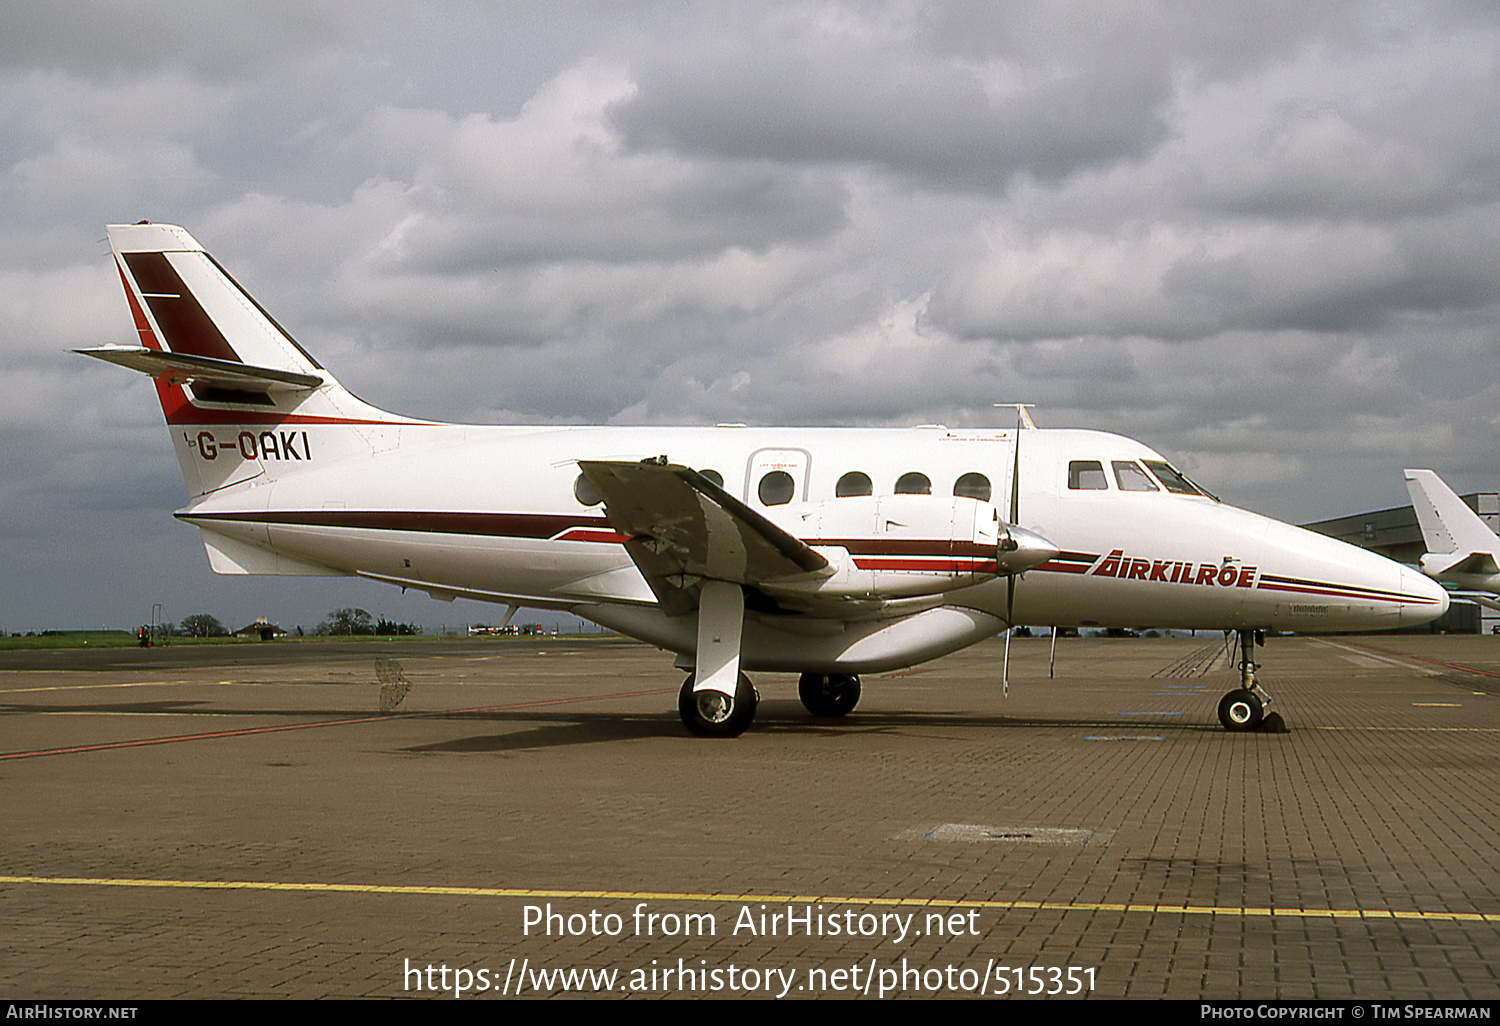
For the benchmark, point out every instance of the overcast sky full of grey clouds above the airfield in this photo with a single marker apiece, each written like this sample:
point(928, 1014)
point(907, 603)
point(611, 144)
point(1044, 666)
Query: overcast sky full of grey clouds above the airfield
point(1261, 238)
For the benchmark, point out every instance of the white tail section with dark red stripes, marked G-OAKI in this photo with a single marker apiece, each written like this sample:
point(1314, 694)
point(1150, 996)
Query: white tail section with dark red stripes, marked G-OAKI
point(242, 400)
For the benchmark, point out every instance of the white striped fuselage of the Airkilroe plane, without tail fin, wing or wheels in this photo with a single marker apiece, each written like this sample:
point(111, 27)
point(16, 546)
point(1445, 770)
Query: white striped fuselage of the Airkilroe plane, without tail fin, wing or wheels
point(496, 514)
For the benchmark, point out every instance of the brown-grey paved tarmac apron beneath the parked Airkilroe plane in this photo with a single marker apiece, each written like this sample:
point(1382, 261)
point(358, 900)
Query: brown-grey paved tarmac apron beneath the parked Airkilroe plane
point(245, 823)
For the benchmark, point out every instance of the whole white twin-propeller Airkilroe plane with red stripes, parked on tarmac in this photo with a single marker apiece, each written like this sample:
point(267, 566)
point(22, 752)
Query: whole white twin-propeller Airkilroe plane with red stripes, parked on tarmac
point(818, 551)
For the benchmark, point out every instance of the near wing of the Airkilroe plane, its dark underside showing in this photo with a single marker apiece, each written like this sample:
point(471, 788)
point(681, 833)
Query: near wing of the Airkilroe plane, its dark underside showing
point(682, 530)
